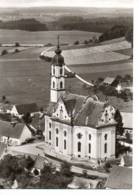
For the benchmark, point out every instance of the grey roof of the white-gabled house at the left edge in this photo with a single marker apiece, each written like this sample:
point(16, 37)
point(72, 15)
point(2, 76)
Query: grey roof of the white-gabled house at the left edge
point(8, 130)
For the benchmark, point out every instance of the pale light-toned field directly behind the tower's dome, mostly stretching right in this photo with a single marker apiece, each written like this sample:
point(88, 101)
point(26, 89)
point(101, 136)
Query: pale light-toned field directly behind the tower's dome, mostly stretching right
point(97, 54)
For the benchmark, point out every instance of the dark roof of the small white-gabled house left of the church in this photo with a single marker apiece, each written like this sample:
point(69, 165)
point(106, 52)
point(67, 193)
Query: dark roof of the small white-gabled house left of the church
point(25, 108)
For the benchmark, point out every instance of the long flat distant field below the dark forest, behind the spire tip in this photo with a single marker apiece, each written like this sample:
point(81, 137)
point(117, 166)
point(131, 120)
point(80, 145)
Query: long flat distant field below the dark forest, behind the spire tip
point(44, 37)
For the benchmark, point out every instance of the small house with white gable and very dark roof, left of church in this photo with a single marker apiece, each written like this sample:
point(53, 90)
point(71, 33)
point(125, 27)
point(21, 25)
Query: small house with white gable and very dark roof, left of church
point(22, 109)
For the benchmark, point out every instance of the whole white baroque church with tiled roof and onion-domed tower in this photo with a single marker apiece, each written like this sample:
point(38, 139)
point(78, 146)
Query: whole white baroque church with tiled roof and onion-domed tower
point(78, 127)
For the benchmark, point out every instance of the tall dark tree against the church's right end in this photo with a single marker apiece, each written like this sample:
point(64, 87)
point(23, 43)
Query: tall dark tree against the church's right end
point(118, 119)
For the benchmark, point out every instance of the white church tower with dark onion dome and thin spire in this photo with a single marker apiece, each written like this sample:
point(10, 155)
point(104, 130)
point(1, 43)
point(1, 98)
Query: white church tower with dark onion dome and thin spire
point(57, 75)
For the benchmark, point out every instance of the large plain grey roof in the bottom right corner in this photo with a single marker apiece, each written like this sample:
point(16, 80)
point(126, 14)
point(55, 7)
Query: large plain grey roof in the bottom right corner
point(120, 178)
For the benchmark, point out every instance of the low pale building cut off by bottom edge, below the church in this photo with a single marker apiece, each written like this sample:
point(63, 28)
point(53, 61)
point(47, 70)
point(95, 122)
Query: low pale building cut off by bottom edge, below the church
point(85, 183)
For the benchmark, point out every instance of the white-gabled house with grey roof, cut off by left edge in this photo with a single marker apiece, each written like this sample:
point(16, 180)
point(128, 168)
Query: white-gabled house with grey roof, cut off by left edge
point(13, 134)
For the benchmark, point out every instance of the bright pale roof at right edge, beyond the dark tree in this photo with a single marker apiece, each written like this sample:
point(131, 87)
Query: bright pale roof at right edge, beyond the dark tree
point(127, 120)
